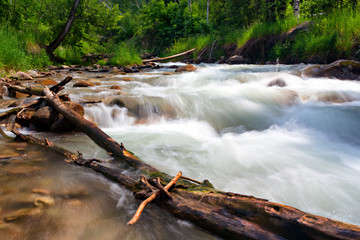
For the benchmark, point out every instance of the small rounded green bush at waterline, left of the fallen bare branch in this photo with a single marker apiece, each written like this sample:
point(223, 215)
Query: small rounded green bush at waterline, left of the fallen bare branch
point(124, 54)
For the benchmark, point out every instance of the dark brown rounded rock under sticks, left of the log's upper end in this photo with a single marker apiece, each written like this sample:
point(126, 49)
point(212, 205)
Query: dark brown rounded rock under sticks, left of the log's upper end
point(44, 117)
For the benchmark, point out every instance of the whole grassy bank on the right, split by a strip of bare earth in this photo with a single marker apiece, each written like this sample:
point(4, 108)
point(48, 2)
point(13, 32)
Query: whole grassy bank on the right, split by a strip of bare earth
point(332, 36)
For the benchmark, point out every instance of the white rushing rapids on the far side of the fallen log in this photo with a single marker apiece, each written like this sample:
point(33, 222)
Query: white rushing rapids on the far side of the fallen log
point(297, 145)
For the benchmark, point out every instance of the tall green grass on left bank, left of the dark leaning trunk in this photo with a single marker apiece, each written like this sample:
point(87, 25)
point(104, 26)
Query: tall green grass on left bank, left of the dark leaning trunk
point(19, 52)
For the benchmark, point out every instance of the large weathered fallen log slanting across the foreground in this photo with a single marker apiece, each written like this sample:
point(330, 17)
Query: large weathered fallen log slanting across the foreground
point(229, 215)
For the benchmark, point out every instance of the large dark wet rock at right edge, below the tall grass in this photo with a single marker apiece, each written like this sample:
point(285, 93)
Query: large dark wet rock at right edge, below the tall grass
point(341, 69)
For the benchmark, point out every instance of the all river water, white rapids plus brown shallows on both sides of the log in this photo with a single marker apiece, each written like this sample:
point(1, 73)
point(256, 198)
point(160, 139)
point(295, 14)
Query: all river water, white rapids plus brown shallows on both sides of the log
point(297, 145)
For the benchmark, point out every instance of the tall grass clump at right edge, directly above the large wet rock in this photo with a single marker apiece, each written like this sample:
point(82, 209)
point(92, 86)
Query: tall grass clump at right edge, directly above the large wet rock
point(332, 36)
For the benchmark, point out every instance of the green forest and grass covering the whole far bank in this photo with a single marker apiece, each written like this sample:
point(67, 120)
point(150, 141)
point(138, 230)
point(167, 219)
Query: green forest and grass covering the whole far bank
point(119, 32)
